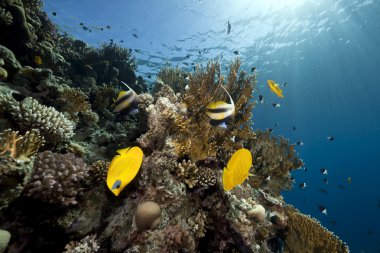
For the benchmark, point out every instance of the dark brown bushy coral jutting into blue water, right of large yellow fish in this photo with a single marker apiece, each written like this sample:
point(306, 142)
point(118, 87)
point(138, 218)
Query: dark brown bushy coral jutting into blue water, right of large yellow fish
point(273, 159)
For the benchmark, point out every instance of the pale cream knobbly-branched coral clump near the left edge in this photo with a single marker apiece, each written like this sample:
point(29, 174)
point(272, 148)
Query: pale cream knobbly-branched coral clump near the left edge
point(29, 114)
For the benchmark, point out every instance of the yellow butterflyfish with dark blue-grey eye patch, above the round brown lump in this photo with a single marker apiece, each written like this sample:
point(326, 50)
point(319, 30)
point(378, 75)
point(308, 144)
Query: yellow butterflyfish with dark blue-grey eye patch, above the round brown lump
point(124, 168)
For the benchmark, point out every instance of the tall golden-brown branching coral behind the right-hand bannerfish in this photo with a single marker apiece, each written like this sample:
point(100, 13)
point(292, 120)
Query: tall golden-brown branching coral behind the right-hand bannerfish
point(199, 140)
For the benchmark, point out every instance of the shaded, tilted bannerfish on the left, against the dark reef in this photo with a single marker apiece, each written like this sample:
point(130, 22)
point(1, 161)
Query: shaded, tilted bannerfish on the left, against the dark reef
point(126, 101)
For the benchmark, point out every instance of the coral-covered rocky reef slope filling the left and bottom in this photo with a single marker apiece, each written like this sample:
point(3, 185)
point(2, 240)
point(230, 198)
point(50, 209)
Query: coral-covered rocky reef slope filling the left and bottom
point(58, 135)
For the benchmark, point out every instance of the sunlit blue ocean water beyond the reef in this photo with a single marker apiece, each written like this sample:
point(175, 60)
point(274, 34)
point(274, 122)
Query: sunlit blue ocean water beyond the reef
point(327, 52)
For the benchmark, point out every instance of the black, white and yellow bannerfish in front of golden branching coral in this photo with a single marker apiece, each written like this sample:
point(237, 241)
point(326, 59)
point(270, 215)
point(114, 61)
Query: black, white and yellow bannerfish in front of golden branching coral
point(220, 112)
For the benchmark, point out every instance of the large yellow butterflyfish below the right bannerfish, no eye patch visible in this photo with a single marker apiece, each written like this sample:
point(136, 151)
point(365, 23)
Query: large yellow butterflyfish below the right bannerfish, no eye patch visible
point(237, 169)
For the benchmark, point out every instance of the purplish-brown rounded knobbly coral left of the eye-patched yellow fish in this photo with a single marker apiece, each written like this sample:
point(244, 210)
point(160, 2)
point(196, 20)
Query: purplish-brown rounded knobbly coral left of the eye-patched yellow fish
point(57, 178)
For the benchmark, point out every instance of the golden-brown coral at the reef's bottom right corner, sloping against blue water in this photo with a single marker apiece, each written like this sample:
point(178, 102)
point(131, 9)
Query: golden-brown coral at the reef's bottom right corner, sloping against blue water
point(306, 234)
